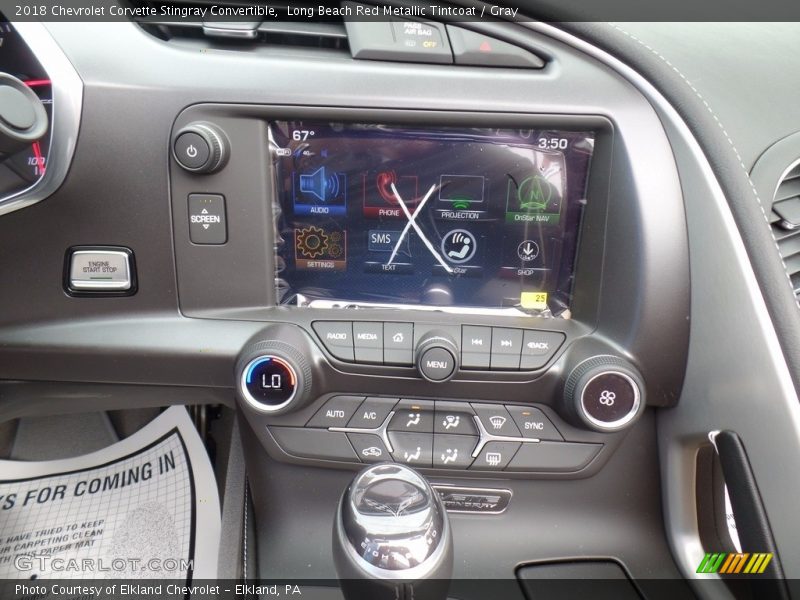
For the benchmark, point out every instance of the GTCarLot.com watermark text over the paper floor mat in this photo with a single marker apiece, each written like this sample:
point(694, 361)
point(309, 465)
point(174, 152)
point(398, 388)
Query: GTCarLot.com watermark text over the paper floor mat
point(55, 564)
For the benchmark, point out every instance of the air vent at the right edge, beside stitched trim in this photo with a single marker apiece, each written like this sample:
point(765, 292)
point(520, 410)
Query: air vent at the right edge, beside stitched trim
point(785, 222)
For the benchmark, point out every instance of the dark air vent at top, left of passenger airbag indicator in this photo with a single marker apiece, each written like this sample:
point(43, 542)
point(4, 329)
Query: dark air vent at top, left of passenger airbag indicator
point(181, 20)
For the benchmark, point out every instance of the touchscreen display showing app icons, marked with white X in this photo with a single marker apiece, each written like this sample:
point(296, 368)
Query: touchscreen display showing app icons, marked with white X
point(428, 217)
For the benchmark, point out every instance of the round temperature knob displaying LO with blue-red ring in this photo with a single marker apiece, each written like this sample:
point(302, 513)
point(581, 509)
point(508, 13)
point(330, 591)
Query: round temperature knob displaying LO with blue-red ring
point(273, 377)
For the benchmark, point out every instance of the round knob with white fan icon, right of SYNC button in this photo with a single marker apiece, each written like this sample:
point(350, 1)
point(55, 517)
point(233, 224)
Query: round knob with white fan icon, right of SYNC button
point(606, 393)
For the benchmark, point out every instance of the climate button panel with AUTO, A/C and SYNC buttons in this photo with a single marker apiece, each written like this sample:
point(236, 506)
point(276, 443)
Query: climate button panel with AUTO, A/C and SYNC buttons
point(435, 434)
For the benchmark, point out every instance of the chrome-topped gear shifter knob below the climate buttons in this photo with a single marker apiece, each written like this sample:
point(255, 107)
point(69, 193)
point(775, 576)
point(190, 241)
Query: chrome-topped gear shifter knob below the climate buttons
point(391, 537)
